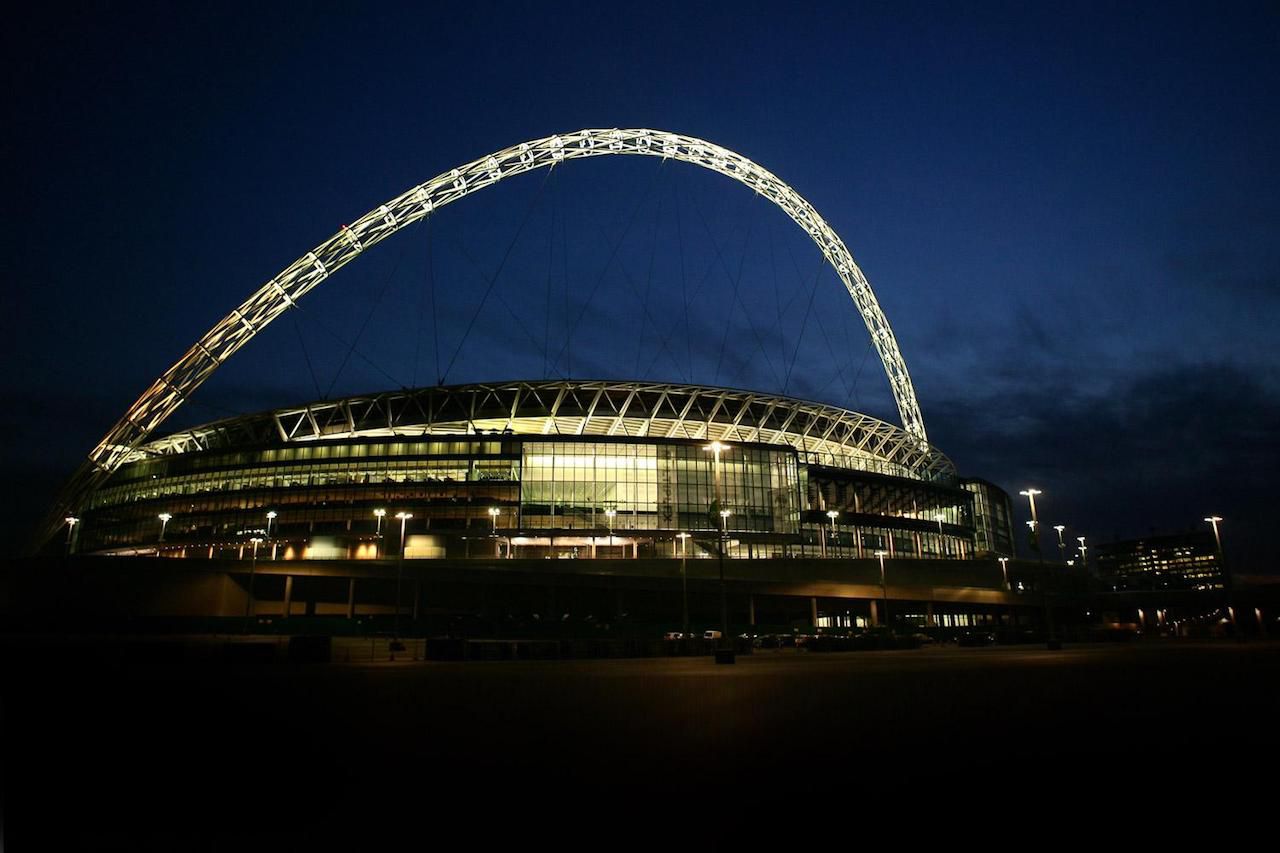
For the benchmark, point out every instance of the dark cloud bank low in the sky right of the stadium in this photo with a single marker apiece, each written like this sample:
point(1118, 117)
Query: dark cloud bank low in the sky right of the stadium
point(1153, 453)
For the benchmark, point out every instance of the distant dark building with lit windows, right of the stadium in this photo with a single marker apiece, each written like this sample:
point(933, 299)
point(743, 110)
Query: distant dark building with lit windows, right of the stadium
point(1177, 562)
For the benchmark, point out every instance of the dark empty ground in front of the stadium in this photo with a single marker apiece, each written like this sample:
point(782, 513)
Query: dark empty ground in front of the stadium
point(661, 754)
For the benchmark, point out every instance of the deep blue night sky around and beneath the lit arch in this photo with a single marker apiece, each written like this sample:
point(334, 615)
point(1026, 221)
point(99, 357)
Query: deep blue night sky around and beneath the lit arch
point(1071, 215)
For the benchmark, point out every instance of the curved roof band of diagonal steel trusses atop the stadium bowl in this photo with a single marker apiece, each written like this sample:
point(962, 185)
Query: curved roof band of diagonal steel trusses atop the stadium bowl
point(822, 435)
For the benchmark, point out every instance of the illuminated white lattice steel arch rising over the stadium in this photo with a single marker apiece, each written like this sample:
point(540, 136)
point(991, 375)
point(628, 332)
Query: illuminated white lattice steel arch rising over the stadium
point(281, 293)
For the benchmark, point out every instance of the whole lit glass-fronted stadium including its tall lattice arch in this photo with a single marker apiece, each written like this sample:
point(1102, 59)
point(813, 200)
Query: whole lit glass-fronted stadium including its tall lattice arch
point(536, 500)
